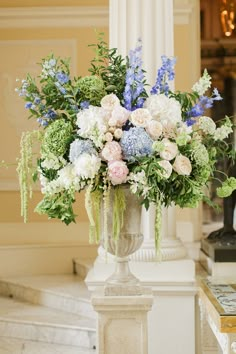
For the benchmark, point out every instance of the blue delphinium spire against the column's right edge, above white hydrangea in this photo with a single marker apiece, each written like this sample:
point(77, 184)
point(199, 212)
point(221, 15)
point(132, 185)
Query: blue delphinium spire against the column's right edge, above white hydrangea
point(165, 73)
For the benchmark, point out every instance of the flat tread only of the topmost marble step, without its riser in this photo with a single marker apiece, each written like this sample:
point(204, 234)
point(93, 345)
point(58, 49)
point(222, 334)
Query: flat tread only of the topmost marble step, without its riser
point(68, 285)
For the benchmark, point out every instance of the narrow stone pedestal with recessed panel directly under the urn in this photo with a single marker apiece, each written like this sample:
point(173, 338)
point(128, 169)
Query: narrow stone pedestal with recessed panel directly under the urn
point(122, 323)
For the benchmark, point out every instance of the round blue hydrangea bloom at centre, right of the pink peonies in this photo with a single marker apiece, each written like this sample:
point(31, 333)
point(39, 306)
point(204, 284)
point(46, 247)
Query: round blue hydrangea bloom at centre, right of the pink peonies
point(135, 142)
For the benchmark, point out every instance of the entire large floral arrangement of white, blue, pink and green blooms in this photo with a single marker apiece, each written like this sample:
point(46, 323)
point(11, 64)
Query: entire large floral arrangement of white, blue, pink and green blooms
point(110, 128)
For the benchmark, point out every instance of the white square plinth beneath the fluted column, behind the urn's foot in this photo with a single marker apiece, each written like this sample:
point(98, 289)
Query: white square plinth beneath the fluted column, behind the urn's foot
point(174, 290)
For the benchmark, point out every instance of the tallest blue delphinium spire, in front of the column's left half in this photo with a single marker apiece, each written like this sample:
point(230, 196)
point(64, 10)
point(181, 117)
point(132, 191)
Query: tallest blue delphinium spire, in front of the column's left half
point(134, 81)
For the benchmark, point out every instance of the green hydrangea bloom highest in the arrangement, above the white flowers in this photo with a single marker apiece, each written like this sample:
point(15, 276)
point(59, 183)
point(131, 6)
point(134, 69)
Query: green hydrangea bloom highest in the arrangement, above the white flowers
point(92, 89)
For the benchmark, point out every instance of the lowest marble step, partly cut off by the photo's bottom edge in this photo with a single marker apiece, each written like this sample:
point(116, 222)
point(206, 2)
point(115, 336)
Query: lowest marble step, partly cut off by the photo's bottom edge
point(20, 346)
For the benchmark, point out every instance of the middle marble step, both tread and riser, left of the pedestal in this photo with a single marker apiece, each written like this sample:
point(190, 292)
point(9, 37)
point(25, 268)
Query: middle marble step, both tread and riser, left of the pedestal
point(22, 320)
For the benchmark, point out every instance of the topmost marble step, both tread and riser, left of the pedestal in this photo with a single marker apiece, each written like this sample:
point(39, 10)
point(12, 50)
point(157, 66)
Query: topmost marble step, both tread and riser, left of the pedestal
point(63, 292)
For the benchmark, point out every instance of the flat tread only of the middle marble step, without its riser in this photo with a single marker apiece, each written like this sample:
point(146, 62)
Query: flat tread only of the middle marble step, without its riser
point(12, 310)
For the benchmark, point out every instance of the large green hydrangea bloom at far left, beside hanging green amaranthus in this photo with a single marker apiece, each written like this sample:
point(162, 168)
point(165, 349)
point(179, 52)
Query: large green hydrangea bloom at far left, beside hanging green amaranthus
point(56, 138)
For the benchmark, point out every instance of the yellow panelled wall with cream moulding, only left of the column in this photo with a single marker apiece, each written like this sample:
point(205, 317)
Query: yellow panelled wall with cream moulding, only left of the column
point(26, 35)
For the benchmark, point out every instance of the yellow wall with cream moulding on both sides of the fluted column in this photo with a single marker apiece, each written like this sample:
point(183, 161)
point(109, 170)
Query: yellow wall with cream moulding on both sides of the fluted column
point(66, 28)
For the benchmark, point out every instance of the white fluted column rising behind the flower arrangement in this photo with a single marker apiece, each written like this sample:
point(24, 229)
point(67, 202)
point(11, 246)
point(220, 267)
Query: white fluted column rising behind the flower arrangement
point(152, 21)
